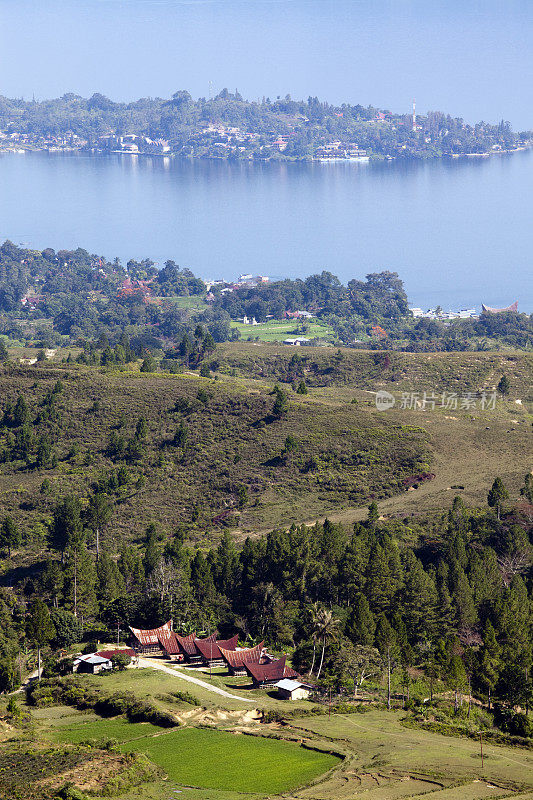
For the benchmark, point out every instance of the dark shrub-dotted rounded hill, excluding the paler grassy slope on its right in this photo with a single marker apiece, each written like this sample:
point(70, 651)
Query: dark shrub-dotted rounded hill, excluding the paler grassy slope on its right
point(345, 453)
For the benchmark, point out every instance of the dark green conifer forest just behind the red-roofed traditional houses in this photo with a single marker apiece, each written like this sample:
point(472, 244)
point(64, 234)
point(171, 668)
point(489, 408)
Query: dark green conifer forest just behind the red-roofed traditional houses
point(449, 594)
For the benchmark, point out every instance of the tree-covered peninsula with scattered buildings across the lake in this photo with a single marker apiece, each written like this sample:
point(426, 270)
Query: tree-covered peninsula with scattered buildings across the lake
point(307, 124)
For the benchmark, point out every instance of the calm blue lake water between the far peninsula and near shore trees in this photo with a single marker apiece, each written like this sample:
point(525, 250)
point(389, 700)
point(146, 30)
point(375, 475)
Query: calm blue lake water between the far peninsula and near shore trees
point(459, 232)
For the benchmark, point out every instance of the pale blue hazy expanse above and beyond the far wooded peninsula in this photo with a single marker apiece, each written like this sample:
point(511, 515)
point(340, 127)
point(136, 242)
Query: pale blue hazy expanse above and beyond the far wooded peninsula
point(470, 58)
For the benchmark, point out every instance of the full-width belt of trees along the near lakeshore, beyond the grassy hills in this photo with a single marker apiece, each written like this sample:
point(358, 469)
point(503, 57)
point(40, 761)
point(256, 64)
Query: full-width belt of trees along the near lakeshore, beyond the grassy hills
point(85, 300)
